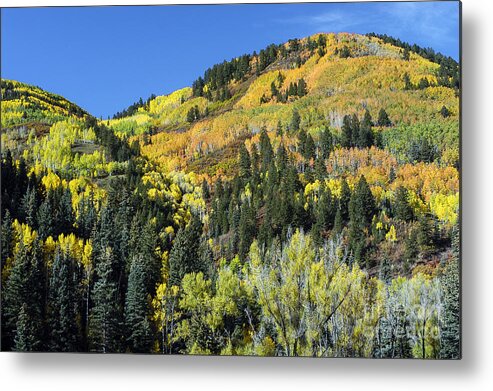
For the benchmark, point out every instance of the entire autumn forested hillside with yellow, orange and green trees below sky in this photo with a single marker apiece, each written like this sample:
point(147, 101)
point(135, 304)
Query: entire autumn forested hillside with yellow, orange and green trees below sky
point(298, 201)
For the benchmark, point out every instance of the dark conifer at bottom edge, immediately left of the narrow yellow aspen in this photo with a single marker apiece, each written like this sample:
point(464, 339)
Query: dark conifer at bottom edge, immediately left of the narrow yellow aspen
point(138, 327)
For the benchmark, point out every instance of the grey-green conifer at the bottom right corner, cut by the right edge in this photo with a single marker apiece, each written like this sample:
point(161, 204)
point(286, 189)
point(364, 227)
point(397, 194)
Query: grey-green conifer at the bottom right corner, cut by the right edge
point(450, 346)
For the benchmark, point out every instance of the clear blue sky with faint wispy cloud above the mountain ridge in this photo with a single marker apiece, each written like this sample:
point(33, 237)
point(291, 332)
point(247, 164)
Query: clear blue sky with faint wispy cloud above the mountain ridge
point(105, 58)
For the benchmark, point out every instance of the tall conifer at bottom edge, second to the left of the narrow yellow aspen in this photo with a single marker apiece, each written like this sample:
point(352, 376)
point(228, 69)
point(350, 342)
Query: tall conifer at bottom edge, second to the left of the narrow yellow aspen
point(105, 316)
